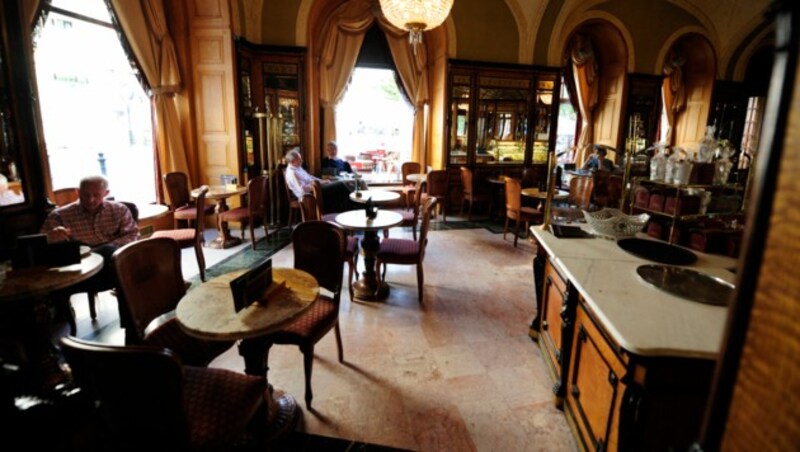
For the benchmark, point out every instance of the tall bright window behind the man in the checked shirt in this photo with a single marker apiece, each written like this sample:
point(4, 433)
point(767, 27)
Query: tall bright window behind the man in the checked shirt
point(96, 116)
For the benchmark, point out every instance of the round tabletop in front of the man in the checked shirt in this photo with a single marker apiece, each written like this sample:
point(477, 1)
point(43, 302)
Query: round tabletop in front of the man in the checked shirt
point(32, 282)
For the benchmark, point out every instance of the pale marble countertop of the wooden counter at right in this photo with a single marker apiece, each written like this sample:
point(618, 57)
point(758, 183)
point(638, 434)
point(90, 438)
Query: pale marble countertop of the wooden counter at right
point(640, 318)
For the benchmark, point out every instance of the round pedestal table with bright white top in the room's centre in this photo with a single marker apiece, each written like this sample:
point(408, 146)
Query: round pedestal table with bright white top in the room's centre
point(369, 287)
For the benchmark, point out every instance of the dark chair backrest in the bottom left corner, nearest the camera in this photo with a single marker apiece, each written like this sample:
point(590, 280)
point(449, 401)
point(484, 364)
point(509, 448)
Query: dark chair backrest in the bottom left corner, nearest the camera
point(139, 390)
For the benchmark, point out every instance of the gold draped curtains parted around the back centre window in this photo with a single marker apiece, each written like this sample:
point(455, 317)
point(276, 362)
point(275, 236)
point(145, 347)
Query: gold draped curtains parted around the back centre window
point(342, 41)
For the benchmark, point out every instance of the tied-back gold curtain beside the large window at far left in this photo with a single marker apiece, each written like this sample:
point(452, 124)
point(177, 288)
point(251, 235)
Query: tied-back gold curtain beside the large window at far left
point(145, 27)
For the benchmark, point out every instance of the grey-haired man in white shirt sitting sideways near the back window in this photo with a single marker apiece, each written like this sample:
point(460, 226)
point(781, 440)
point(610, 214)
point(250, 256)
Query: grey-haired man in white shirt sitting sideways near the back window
point(336, 195)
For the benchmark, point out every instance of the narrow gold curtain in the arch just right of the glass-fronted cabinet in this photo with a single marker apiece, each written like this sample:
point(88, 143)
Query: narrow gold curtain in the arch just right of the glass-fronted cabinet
point(584, 69)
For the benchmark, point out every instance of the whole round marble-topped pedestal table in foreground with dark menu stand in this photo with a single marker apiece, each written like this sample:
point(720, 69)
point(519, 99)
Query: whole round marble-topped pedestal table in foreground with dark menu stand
point(208, 312)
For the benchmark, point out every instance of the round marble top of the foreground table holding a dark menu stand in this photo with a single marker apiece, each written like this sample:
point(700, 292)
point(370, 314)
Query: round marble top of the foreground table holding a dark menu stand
point(208, 312)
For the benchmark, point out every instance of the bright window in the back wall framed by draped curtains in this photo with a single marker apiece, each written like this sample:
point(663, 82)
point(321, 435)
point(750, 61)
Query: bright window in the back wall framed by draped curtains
point(374, 125)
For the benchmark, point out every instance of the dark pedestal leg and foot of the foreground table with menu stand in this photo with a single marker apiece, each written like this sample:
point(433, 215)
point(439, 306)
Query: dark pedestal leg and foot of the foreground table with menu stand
point(283, 412)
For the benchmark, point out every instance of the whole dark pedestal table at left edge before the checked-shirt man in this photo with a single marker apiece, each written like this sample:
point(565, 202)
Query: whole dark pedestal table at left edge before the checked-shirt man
point(25, 315)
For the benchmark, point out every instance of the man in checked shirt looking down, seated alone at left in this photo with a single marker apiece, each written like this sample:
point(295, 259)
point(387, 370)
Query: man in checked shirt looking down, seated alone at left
point(93, 221)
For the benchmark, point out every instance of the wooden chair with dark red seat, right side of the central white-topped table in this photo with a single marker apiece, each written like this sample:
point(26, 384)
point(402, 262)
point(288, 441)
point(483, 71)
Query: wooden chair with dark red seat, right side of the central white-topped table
point(408, 252)
